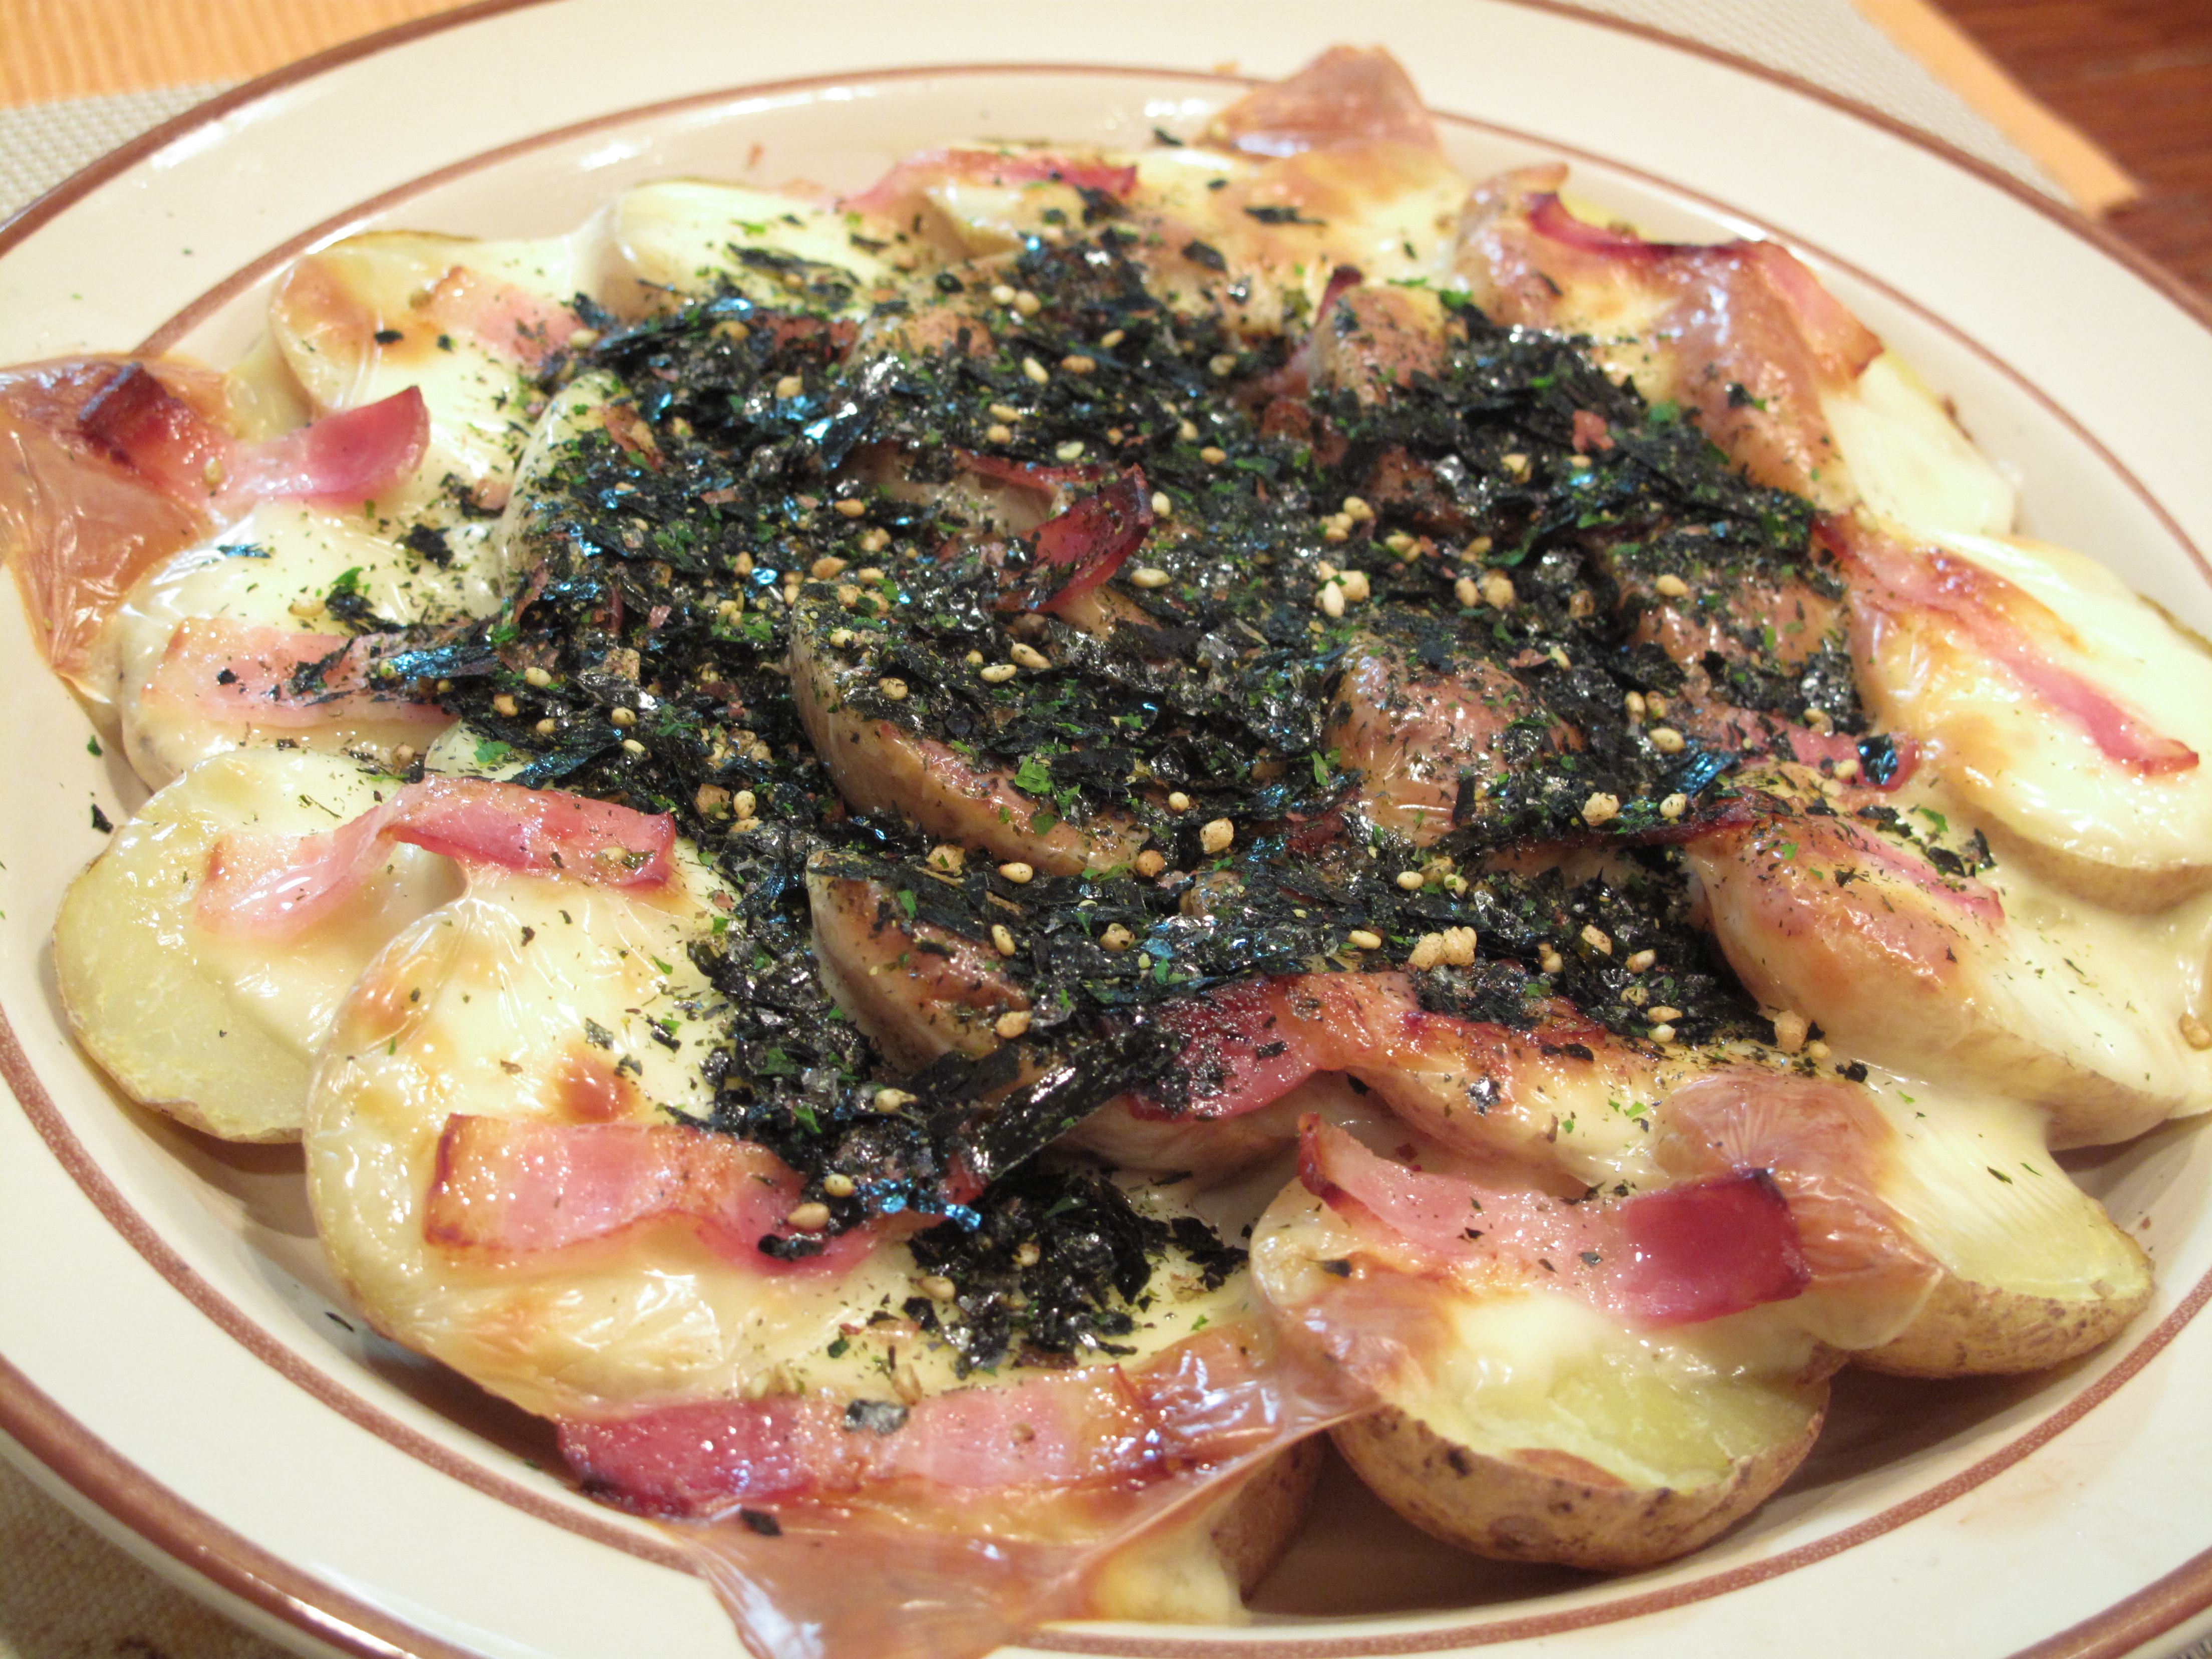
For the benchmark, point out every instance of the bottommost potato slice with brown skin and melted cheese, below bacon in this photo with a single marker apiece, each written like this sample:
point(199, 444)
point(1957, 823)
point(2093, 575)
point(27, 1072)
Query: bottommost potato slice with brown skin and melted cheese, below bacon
point(1527, 1426)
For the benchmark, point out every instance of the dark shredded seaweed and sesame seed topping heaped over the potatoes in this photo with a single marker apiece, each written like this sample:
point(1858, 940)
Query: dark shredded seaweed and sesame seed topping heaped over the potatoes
point(764, 488)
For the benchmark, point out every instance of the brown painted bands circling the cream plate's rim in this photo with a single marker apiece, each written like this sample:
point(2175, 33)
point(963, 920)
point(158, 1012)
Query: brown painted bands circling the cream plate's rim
point(244, 1569)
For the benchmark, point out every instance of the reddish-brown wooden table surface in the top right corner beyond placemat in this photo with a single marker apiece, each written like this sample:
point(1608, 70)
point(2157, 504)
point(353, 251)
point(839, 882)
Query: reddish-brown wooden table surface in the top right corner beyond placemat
point(2138, 79)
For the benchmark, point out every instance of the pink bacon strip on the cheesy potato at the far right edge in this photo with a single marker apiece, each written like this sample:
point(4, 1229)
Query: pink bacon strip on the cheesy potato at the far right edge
point(1897, 585)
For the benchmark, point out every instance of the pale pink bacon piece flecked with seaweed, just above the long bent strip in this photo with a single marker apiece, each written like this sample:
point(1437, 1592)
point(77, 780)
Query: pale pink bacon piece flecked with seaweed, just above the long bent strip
point(251, 674)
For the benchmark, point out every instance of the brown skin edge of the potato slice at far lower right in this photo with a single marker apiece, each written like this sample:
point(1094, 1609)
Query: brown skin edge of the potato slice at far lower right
point(1987, 1331)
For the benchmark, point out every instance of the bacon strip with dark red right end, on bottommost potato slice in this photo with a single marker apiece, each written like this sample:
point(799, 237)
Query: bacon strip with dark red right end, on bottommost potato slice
point(1673, 1258)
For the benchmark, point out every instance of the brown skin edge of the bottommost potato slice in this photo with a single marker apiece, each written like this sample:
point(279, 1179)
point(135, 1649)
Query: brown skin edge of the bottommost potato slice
point(1550, 1505)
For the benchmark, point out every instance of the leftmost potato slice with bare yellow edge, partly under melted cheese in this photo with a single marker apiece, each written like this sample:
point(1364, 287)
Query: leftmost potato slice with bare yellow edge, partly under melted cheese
point(222, 1032)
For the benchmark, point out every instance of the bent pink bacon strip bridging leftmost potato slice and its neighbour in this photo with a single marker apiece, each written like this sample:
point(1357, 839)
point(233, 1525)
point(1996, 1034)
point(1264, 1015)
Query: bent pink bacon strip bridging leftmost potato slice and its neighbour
point(280, 886)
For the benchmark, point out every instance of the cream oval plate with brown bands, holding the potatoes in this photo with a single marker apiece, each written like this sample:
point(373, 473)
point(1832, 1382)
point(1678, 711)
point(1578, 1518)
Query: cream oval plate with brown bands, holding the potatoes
point(171, 1348)
